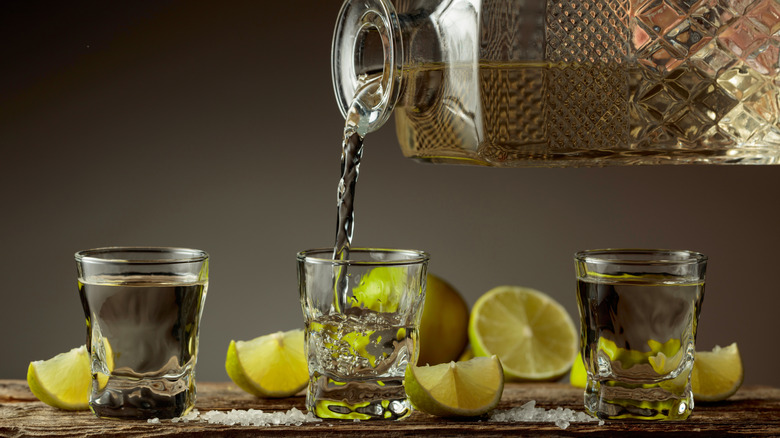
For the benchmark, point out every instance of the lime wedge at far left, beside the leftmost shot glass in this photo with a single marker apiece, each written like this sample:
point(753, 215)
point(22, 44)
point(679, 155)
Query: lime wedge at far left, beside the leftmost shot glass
point(63, 381)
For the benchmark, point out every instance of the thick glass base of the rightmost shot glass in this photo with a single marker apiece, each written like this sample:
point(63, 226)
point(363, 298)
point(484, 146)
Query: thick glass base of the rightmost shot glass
point(611, 400)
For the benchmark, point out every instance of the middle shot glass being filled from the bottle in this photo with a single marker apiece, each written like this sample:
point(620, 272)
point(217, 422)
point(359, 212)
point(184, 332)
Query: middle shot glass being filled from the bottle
point(362, 316)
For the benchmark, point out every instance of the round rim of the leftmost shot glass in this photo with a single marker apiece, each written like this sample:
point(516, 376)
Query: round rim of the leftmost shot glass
point(104, 255)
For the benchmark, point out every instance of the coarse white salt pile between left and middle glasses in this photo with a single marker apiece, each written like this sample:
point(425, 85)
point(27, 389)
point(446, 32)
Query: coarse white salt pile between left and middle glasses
point(251, 417)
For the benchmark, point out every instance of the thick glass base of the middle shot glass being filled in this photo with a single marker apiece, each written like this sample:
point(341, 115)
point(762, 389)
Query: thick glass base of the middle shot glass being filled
point(357, 399)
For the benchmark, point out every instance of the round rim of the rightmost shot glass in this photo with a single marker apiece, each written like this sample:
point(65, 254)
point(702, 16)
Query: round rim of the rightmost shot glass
point(632, 256)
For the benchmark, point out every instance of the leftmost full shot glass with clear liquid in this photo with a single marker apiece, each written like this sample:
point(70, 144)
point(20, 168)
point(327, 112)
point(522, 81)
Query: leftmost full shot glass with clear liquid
point(143, 308)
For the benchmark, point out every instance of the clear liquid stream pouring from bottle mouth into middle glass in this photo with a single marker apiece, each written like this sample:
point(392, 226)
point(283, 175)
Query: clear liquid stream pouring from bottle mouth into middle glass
point(355, 130)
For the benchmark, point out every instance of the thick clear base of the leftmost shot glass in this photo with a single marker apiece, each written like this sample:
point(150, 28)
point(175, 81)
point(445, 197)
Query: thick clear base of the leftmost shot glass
point(142, 398)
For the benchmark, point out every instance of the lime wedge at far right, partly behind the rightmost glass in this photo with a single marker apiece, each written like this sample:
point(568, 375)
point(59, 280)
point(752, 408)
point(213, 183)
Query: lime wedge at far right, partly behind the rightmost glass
point(717, 374)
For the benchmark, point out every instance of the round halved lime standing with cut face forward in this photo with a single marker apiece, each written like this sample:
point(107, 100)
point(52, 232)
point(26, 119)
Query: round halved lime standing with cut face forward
point(529, 331)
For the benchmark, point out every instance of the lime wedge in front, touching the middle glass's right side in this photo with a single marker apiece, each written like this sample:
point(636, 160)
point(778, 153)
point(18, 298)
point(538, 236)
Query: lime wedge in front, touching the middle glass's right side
point(456, 389)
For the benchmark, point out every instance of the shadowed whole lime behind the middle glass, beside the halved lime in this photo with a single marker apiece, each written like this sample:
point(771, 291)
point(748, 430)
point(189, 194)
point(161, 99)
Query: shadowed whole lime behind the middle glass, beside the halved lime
point(444, 325)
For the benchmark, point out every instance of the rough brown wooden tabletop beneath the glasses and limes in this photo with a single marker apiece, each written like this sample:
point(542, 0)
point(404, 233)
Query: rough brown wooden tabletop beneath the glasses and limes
point(753, 411)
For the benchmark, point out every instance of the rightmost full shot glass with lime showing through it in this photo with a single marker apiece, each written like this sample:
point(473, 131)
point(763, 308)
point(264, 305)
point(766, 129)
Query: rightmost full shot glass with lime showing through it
point(639, 309)
